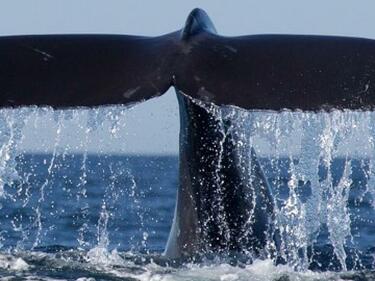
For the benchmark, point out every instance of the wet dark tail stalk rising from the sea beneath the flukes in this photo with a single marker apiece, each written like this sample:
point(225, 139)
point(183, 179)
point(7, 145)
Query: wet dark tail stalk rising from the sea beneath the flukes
point(219, 183)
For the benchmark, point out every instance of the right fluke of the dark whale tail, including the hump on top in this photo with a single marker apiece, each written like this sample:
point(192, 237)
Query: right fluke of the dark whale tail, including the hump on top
point(277, 71)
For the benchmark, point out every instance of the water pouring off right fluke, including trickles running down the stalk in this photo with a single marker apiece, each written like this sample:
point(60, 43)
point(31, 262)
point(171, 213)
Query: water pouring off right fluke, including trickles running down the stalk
point(311, 159)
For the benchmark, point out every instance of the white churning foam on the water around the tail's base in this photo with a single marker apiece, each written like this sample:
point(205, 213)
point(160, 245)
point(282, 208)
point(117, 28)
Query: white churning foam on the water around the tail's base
point(101, 261)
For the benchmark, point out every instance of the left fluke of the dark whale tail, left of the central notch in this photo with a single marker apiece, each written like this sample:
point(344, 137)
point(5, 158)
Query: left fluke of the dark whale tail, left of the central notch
point(82, 70)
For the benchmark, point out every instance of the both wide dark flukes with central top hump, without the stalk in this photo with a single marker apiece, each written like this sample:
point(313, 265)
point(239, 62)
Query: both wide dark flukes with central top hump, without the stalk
point(253, 72)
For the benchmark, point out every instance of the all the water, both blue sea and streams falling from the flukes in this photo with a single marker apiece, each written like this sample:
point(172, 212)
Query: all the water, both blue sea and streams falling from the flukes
point(76, 216)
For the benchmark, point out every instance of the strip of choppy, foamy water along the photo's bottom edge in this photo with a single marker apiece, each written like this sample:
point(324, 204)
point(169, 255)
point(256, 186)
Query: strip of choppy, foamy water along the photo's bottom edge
point(101, 264)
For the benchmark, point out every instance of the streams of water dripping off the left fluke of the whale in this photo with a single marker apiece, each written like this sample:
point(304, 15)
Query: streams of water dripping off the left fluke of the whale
point(20, 188)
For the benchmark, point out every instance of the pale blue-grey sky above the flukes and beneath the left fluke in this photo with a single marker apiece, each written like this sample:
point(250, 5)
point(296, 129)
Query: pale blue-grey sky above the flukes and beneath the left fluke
point(152, 127)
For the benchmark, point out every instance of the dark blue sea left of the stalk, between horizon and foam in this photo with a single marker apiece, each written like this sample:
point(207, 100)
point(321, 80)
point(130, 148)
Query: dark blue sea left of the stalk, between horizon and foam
point(138, 193)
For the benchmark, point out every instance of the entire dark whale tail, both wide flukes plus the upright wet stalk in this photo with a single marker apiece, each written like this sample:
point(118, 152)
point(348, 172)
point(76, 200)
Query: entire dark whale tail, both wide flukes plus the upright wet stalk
point(273, 72)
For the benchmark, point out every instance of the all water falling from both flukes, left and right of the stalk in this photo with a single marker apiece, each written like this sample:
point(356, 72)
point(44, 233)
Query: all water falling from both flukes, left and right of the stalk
point(310, 159)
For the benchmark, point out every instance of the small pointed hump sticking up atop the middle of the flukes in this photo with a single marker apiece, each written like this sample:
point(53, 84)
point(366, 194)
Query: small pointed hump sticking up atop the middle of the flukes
point(197, 22)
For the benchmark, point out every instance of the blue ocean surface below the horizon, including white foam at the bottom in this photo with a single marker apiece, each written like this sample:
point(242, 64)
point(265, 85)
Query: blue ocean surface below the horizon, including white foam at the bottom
point(107, 217)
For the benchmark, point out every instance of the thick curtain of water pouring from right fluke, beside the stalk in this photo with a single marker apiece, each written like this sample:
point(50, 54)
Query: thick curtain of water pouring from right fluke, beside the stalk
point(309, 202)
